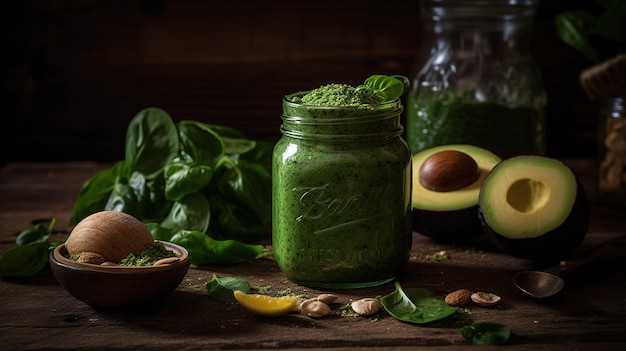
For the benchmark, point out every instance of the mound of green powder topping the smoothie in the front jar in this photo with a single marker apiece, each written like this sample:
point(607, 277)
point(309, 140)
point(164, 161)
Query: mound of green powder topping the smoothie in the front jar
point(340, 95)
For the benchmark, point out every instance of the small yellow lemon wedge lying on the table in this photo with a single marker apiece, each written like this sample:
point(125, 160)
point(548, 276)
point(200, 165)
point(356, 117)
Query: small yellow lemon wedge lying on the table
point(265, 305)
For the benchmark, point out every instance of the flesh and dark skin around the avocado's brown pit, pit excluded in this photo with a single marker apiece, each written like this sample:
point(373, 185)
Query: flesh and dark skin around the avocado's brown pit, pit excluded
point(450, 217)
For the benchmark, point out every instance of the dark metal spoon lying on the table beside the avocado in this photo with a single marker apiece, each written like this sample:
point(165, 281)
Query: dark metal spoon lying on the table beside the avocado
point(546, 283)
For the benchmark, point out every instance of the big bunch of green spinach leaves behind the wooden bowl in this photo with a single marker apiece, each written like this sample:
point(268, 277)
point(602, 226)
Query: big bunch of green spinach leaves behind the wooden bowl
point(206, 187)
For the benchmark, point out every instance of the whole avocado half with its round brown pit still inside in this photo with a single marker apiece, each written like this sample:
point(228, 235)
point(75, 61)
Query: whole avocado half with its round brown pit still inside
point(446, 185)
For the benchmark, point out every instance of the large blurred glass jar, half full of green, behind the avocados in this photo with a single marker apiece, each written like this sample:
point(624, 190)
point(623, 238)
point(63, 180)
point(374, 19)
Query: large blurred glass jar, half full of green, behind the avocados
point(478, 83)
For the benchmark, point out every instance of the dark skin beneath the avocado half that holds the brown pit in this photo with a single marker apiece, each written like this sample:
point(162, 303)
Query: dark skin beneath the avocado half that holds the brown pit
point(448, 227)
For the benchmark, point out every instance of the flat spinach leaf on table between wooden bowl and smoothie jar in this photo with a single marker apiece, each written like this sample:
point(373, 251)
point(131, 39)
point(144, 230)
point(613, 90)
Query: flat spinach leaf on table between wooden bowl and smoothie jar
point(203, 249)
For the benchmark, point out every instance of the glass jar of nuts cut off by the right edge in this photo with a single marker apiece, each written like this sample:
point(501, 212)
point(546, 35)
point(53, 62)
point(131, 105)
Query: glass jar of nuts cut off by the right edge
point(612, 140)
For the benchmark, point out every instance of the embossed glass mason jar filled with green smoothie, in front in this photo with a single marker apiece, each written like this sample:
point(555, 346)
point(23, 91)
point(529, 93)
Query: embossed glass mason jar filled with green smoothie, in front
point(341, 190)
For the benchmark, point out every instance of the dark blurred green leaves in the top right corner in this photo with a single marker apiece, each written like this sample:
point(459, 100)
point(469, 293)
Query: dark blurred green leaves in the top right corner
point(598, 35)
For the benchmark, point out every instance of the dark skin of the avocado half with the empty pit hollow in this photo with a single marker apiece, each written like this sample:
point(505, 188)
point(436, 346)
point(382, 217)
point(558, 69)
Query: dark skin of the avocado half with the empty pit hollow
point(553, 246)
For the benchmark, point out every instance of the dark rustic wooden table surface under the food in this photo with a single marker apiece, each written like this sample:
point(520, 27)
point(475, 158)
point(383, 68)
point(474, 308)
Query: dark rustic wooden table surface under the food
point(37, 313)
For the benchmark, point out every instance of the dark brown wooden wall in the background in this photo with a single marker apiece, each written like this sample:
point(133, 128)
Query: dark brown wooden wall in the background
point(75, 72)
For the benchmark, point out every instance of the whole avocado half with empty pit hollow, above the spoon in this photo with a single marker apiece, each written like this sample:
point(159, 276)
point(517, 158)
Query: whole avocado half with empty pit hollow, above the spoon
point(534, 207)
